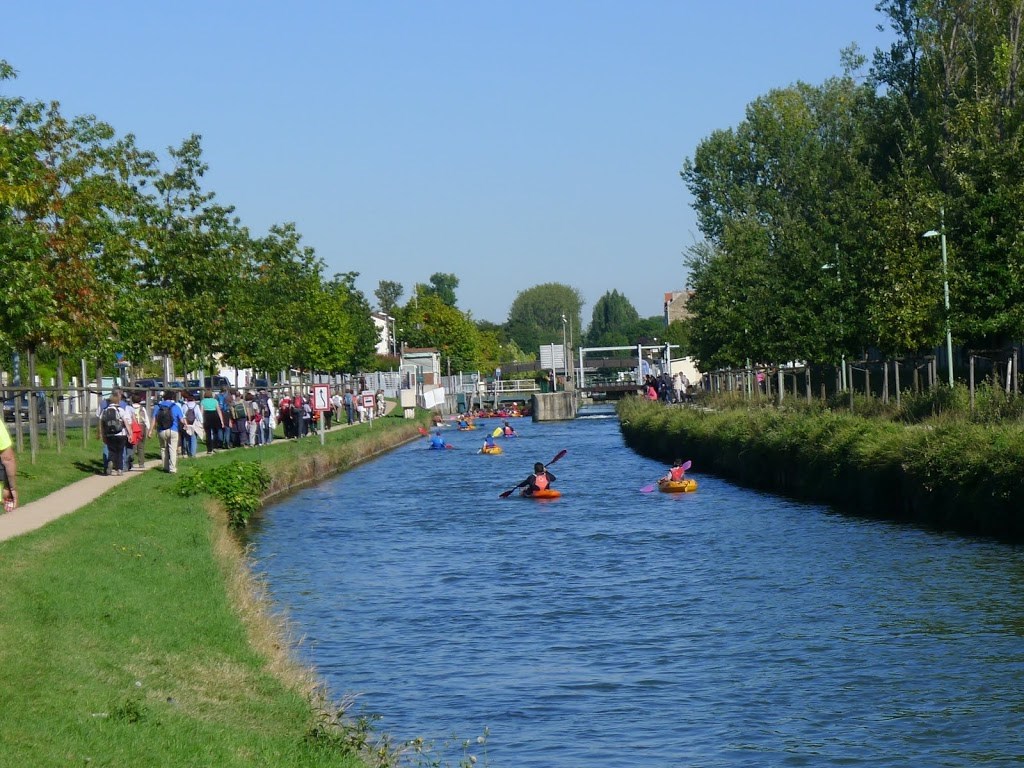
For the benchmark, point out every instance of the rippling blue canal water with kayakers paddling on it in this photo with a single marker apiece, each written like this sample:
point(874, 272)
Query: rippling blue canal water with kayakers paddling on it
point(614, 627)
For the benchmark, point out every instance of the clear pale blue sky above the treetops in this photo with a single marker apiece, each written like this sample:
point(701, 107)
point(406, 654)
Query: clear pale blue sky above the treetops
point(511, 144)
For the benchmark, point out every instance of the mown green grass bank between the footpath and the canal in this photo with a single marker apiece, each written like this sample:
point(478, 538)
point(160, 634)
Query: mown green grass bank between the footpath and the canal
point(133, 634)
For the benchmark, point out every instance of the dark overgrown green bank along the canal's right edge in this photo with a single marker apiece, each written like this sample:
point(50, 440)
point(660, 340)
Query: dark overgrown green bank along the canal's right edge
point(953, 476)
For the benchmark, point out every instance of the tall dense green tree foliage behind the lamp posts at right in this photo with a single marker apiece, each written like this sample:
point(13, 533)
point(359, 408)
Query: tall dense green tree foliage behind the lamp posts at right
point(814, 207)
